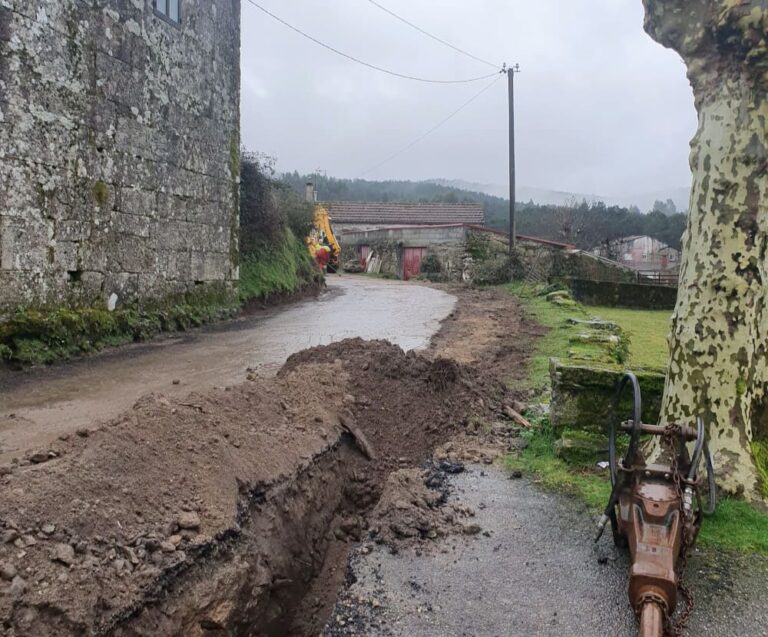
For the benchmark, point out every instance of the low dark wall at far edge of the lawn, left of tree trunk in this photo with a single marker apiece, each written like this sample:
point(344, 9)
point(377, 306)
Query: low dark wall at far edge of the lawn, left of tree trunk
point(632, 295)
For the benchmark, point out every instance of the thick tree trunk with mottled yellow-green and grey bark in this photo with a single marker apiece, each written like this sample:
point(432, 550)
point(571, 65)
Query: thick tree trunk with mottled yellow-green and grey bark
point(719, 338)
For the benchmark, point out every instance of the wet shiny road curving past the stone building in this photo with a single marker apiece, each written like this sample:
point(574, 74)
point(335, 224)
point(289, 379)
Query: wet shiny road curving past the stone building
point(39, 405)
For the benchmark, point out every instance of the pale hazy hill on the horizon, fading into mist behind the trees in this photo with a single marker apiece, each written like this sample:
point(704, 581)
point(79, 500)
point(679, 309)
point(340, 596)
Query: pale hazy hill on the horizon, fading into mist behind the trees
point(544, 197)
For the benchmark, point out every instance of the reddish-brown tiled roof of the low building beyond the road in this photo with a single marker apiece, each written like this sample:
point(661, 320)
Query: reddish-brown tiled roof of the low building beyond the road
point(403, 213)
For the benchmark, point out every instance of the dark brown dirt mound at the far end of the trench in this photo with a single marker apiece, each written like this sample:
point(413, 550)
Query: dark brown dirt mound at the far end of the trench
point(407, 403)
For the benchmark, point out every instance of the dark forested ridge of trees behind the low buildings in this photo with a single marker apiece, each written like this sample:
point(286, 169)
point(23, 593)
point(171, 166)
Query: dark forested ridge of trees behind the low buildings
point(583, 224)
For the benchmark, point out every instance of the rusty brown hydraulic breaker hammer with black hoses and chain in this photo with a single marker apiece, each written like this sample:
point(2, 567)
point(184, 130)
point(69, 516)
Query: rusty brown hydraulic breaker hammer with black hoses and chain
point(655, 510)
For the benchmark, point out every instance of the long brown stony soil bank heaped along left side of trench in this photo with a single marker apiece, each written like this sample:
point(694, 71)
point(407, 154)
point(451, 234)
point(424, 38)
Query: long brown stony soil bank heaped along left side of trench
point(93, 525)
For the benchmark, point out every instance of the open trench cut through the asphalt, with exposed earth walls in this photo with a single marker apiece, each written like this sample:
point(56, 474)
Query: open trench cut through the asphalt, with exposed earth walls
point(279, 573)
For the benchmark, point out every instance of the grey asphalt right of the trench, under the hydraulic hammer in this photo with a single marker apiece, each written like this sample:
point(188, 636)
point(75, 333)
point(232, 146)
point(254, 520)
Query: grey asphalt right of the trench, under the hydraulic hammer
point(537, 573)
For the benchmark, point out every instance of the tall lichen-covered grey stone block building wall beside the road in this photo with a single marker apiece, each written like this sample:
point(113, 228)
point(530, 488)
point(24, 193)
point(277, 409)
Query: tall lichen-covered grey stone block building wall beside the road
point(119, 149)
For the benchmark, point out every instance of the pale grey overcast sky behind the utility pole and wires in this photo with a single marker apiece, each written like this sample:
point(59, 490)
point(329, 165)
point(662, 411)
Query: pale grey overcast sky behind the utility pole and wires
point(601, 108)
